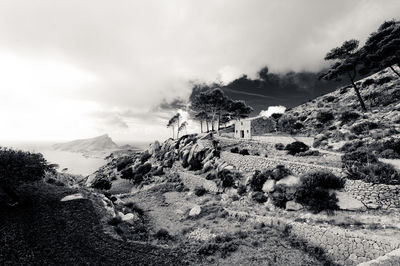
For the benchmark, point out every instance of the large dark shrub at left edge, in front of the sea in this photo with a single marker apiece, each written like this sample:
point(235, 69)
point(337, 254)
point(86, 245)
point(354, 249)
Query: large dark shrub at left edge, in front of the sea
point(20, 166)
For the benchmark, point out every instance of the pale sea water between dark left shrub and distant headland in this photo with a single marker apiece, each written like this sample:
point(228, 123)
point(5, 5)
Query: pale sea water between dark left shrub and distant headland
point(71, 162)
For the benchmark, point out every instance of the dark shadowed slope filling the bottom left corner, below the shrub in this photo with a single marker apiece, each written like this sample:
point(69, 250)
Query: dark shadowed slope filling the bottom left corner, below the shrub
point(44, 231)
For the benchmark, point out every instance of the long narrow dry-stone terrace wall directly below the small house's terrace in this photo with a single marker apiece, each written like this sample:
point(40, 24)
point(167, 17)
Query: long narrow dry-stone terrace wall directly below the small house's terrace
point(251, 163)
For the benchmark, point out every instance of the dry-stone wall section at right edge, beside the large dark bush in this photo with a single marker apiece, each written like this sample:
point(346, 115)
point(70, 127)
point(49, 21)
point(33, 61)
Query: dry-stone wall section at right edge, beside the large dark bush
point(374, 195)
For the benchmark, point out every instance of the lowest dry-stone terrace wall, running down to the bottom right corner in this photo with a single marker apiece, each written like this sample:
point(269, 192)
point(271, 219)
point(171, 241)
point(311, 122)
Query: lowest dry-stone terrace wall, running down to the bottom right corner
point(341, 245)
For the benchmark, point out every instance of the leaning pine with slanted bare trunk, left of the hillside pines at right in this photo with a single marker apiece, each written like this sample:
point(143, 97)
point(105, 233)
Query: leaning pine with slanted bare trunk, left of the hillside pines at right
point(346, 59)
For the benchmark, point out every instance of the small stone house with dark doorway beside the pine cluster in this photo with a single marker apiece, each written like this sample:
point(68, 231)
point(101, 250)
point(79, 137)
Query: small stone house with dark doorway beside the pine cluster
point(246, 128)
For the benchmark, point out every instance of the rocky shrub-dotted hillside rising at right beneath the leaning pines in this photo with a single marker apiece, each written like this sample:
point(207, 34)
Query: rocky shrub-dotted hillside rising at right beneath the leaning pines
point(337, 122)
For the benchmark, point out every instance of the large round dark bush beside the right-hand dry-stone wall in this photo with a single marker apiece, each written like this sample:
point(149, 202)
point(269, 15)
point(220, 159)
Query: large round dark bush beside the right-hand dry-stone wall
point(314, 191)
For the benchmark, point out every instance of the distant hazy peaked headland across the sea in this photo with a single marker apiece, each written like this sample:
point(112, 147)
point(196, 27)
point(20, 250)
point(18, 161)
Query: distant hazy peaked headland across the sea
point(100, 143)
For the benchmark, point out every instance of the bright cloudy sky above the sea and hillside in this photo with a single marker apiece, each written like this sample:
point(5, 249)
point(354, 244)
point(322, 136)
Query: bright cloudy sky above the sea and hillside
point(72, 69)
